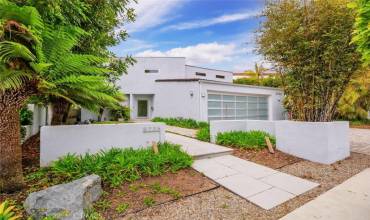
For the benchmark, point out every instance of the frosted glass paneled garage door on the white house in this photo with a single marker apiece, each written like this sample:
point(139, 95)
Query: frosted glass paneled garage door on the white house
point(230, 107)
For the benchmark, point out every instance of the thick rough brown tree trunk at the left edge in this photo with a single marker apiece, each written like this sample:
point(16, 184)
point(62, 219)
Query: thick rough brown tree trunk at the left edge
point(11, 173)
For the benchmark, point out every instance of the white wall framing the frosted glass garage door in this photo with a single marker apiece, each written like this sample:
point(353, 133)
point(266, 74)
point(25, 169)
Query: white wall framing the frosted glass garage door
point(276, 109)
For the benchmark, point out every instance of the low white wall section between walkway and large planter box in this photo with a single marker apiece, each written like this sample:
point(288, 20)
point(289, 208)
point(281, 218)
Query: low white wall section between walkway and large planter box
point(220, 126)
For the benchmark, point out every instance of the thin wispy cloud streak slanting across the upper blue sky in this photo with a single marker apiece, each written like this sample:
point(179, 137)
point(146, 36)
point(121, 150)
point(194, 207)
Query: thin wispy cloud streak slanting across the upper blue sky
point(227, 18)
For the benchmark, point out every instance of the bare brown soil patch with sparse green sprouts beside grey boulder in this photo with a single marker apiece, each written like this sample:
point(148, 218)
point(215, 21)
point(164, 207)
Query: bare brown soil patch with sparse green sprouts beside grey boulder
point(151, 191)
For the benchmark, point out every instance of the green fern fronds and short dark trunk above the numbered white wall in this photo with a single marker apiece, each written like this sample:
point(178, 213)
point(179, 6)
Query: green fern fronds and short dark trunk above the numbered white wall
point(78, 79)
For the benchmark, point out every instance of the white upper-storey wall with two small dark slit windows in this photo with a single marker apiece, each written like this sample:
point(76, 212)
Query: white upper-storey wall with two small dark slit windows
point(210, 74)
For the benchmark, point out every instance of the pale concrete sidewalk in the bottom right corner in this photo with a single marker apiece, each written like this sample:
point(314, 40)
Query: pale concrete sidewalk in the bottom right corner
point(349, 200)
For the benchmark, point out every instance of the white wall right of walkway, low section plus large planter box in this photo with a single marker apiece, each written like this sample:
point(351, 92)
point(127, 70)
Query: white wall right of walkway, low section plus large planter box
point(322, 142)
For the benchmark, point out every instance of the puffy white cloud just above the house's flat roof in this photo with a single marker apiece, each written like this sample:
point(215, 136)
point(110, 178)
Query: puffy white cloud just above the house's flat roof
point(205, 53)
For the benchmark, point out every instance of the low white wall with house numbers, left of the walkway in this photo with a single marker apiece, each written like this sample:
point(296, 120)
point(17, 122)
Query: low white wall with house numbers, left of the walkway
point(57, 141)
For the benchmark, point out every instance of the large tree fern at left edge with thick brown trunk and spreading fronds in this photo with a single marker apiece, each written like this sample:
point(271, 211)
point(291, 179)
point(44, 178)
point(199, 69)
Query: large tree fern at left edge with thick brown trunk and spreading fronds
point(35, 60)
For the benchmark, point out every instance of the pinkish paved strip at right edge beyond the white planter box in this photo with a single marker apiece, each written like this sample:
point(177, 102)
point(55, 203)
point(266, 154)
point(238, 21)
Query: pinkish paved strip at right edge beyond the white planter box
point(360, 140)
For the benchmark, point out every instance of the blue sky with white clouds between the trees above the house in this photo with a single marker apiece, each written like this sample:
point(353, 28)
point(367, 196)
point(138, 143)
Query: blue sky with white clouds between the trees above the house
point(210, 33)
